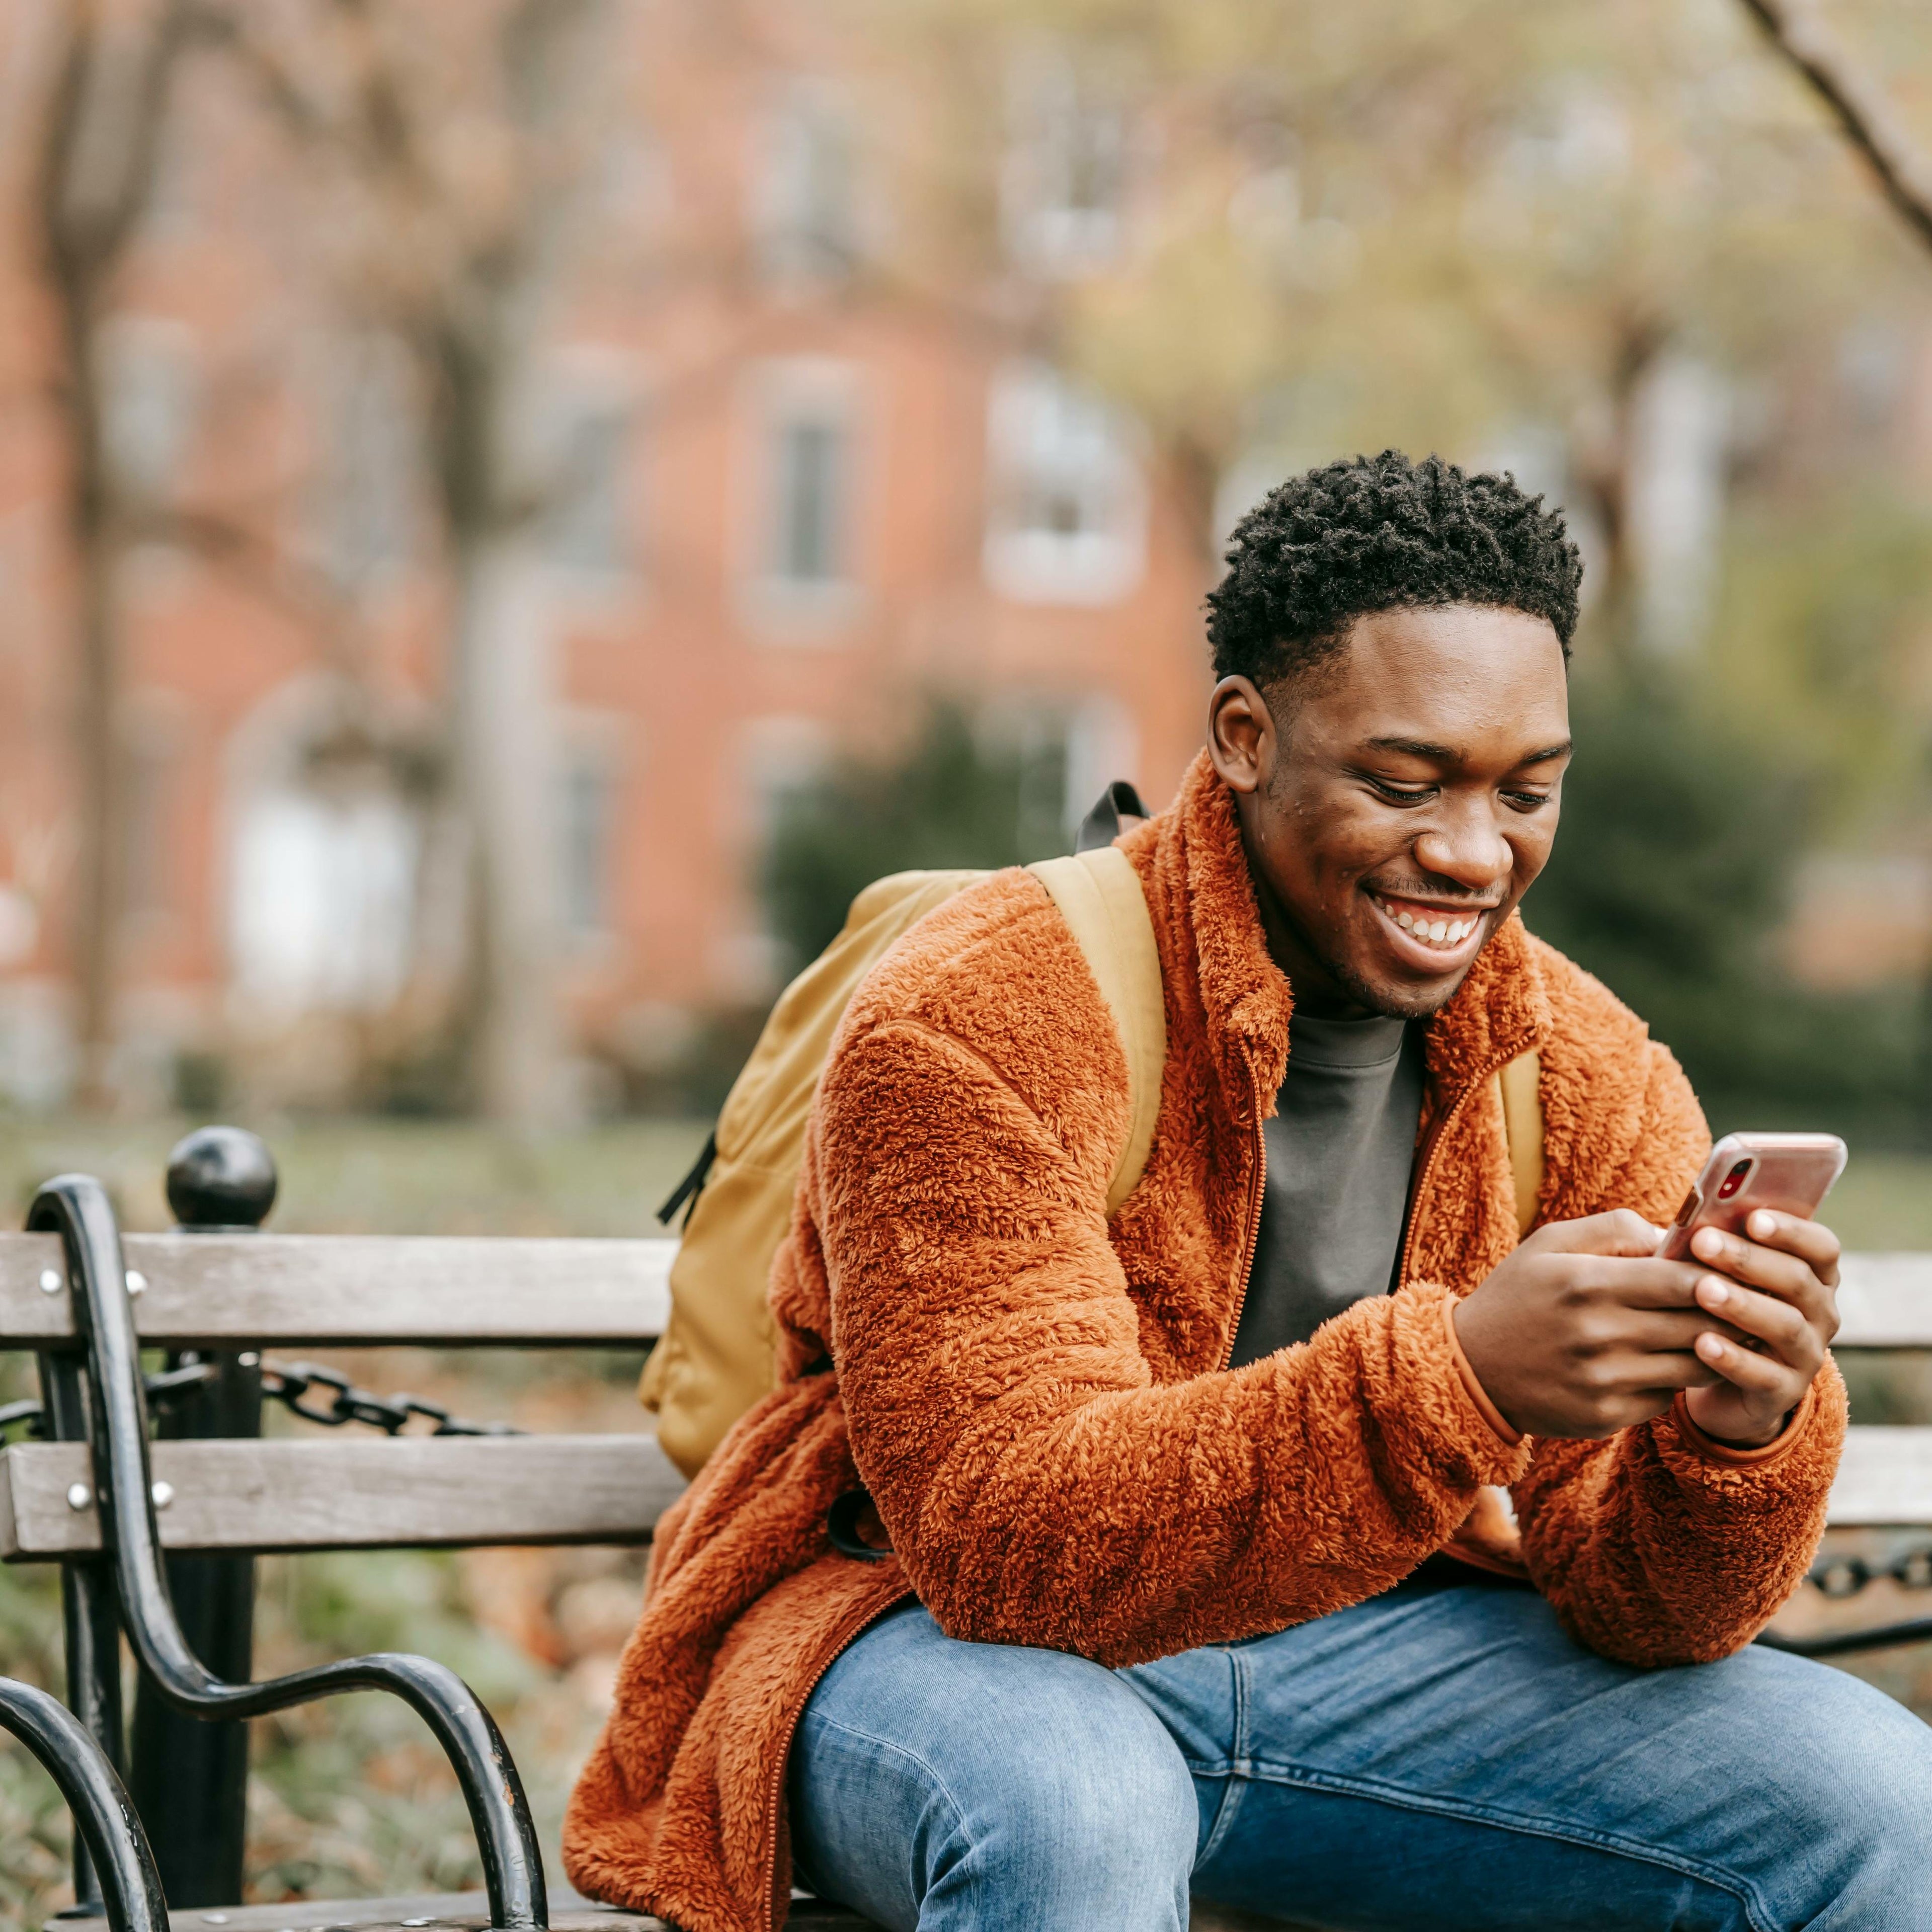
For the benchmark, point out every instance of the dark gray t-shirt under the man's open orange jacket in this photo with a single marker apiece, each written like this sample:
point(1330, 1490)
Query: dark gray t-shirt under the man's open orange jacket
point(1340, 1151)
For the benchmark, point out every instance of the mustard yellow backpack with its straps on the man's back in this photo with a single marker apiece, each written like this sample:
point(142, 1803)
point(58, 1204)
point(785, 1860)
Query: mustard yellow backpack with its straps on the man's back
point(720, 1353)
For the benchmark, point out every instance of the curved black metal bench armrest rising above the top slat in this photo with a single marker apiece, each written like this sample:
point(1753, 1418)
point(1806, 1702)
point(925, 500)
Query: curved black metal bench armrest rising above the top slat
point(78, 1210)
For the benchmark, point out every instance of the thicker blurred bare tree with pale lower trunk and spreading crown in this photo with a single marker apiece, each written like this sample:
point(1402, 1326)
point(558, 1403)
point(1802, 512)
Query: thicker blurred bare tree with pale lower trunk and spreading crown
point(461, 250)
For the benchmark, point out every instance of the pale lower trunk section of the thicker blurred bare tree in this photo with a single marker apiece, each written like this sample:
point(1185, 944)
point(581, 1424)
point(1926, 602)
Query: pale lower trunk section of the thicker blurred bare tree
point(503, 770)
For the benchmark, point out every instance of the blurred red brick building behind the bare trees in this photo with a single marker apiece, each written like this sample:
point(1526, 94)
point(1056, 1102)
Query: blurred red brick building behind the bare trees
point(799, 501)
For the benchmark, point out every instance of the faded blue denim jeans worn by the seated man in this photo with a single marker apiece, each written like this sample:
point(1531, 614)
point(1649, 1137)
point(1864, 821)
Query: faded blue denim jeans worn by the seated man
point(1435, 1759)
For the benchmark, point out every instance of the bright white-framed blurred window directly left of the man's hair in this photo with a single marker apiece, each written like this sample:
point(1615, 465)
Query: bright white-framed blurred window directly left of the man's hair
point(1067, 517)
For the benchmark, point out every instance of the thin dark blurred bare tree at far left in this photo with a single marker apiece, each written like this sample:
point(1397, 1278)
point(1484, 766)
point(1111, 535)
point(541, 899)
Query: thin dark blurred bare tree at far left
point(99, 142)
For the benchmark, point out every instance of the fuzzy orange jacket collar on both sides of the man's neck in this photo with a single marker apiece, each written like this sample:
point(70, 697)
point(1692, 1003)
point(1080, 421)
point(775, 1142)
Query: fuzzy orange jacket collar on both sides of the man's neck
point(1500, 1011)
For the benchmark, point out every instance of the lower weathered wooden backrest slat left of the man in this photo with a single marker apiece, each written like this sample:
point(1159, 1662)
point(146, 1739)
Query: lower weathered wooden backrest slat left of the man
point(366, 1492)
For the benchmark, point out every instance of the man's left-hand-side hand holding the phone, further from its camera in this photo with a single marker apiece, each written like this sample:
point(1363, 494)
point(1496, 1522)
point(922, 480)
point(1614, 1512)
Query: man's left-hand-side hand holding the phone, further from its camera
point(1585, 1332)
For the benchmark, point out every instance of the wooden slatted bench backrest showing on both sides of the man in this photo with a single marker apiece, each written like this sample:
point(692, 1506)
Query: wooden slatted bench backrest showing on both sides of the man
point(362, 1492)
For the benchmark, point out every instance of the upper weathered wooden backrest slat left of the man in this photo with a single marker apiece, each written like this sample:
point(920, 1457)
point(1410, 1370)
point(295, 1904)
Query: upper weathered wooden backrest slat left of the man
point(360, 1292)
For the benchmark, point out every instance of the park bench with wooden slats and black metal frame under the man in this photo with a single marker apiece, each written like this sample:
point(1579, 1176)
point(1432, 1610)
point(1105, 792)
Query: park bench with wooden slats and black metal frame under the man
point(212, 1494)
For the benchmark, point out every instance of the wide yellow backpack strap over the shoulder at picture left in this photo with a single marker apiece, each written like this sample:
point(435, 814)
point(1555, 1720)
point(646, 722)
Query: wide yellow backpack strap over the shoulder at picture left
point(1106, 911)
